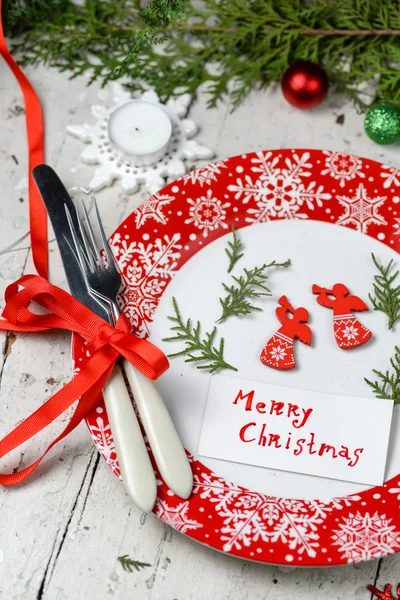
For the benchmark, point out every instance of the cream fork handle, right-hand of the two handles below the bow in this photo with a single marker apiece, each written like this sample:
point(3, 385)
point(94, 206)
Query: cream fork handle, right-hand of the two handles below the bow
point(165, 444)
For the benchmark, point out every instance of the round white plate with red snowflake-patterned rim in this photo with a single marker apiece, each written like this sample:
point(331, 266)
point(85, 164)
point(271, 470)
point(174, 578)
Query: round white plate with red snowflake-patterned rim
point(286, 204)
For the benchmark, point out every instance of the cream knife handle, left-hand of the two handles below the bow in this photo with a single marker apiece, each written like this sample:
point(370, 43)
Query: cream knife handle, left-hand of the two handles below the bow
point(133, 459)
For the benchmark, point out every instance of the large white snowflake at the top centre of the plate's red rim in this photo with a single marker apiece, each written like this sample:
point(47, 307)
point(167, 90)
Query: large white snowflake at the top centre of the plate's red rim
point(278, 192)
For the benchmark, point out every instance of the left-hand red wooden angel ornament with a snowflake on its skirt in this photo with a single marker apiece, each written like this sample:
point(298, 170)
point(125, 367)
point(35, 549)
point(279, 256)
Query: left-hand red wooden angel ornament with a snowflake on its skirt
point(278, 352)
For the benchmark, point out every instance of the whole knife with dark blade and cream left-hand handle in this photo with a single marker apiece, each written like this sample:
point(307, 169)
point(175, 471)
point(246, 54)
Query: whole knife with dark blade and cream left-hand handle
point(135, 465)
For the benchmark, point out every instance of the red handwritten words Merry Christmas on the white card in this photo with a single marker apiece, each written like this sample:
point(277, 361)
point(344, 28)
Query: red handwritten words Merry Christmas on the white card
point(251, 432)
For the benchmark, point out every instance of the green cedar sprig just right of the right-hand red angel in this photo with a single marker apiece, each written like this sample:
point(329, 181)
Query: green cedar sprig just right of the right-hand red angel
point(386, 294)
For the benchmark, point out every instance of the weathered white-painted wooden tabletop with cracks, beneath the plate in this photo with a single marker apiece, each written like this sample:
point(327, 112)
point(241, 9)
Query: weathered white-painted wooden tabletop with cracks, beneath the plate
point(62, 531)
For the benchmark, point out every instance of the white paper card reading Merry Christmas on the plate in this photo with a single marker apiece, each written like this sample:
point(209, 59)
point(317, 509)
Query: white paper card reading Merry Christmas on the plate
point(338, 437)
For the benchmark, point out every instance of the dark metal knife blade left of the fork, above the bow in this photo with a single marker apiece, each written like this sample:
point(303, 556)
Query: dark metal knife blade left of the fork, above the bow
point(54, 194)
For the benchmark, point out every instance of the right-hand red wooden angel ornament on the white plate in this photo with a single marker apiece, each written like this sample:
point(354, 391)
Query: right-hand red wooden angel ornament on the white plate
point(349, 333)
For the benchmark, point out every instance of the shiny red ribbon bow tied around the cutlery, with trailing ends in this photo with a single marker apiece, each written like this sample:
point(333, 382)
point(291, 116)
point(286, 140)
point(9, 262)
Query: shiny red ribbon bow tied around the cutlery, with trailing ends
point(106, 344)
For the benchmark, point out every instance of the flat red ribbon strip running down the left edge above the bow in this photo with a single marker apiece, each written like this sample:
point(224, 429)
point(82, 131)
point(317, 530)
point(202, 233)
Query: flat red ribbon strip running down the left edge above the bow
point(34, 129)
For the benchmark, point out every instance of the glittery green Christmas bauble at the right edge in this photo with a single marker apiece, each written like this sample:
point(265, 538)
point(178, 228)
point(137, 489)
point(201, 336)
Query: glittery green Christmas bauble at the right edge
point(382, 123)
